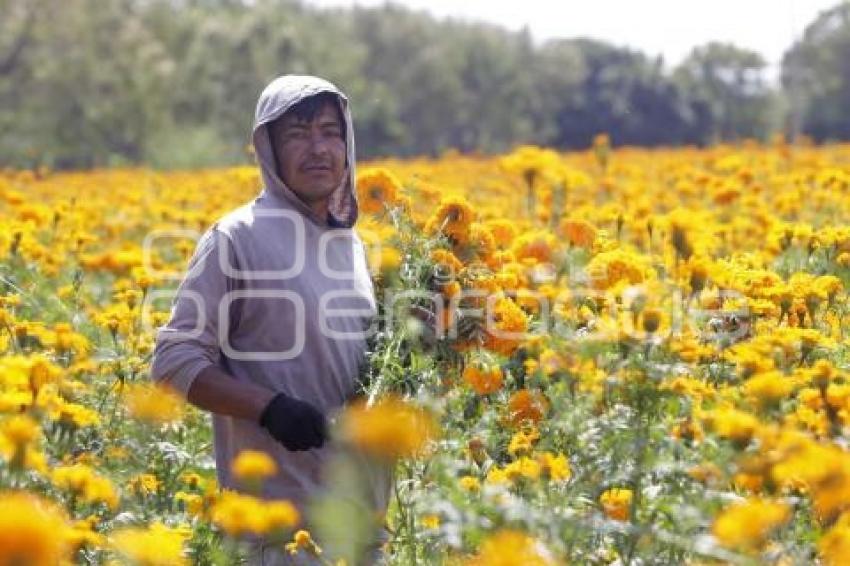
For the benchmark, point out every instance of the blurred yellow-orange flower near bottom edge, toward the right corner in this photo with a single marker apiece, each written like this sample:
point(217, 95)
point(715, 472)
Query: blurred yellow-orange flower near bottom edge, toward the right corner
point(746, 524)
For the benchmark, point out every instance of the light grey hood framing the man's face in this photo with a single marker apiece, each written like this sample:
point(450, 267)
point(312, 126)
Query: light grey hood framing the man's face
point(278, 97)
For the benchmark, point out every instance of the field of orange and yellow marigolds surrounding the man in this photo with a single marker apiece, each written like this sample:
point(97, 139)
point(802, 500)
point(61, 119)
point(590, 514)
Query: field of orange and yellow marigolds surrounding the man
point(618, 356)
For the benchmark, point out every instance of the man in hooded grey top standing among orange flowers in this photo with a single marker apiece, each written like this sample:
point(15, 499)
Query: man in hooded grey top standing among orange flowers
point(268, 328)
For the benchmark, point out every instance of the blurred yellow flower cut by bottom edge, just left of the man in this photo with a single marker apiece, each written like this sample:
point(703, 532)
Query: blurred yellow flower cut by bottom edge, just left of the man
point(156, 545)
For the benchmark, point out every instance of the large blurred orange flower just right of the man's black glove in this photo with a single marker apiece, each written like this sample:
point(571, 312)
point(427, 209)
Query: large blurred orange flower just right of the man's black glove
point(390, 429)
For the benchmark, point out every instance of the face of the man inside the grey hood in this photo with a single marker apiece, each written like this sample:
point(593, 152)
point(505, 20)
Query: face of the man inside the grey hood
point(310, 155)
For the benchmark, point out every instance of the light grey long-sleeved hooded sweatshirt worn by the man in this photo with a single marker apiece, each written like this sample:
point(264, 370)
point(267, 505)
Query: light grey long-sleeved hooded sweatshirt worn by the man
point(281, 298)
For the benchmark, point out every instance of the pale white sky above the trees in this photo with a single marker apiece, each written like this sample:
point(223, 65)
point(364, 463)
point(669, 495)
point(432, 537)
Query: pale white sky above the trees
point(670, 28)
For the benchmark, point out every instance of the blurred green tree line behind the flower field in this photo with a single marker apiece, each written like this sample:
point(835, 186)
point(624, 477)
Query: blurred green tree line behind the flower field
point(173, 83)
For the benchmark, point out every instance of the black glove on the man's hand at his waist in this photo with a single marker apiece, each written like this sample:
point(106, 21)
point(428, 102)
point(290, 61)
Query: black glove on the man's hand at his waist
point(295, 424)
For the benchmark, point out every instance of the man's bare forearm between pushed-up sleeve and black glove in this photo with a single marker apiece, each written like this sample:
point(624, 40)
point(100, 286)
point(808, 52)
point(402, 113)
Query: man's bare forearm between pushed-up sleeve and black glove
point(215, 390)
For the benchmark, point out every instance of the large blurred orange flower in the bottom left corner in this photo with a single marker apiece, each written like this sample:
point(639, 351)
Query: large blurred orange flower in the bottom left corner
point(32, 531)
